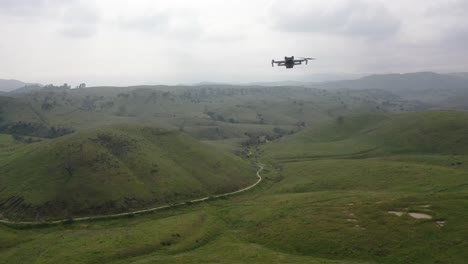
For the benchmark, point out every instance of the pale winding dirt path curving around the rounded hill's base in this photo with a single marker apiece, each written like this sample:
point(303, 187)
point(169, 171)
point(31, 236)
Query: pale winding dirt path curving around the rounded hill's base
point(261, 166)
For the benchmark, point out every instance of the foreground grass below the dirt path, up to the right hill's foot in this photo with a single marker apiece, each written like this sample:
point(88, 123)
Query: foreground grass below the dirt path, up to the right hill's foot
point(298, 215)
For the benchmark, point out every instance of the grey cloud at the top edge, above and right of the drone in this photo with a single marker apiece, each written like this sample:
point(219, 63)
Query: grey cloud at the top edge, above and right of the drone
point(350, 18)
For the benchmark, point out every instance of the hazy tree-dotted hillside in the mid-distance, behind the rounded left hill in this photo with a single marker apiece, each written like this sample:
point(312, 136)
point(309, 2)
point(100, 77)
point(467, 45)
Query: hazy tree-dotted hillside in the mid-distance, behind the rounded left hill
point(235, 110)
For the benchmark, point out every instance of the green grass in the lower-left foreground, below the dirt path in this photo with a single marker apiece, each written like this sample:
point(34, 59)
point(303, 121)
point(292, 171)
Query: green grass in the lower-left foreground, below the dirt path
point(181, 236)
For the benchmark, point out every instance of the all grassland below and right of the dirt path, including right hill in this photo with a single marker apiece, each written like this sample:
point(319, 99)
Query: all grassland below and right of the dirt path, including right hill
point(325, 198)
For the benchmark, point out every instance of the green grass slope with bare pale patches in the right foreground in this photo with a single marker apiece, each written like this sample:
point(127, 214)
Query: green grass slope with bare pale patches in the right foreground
point(338, 209)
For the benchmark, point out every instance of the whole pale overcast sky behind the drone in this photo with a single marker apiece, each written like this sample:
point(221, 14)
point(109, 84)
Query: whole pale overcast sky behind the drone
point(117, 42)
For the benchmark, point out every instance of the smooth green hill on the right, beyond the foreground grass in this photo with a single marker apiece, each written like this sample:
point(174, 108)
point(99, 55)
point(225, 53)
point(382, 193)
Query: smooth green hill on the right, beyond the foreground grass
point(442, 132)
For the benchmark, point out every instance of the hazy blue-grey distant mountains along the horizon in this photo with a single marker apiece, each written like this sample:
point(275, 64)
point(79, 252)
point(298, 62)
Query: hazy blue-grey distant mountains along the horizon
point(422, 86)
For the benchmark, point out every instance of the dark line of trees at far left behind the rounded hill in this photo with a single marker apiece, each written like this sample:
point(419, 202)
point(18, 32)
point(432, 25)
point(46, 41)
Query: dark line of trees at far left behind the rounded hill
point(34, 130)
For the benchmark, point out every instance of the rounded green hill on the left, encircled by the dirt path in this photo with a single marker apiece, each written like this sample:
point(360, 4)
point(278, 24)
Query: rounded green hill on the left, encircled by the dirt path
point(114, 169)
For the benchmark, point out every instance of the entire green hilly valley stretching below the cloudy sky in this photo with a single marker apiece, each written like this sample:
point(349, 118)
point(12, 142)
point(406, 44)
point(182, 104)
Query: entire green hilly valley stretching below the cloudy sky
point(229, 174)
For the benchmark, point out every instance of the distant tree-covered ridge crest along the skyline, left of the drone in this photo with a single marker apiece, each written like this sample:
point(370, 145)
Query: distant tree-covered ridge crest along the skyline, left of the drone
point(53, 96)
